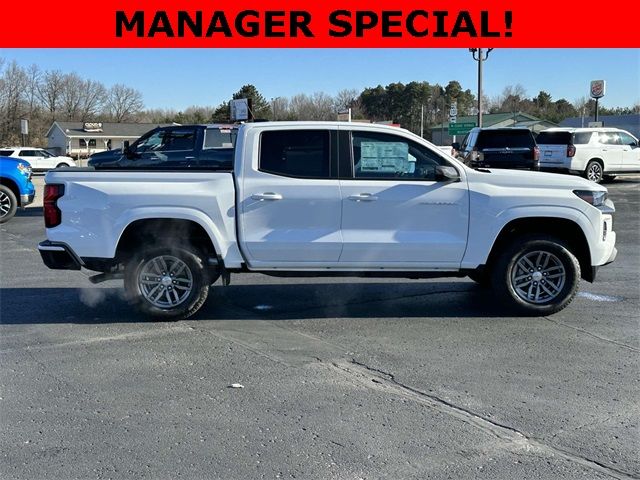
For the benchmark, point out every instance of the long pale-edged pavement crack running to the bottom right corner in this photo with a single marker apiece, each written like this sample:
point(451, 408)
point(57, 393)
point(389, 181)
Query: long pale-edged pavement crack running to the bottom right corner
point(511, 438)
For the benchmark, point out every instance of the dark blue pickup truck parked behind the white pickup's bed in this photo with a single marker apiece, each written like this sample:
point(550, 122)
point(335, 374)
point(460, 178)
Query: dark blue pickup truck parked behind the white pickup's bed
point(176, 146)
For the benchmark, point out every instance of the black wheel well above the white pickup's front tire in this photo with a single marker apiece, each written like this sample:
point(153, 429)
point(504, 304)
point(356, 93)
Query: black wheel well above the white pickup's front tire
point(566, 230)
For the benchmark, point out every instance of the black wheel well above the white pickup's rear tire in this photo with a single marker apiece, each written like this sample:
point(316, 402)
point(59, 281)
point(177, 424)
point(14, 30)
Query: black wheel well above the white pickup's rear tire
point(163, 231)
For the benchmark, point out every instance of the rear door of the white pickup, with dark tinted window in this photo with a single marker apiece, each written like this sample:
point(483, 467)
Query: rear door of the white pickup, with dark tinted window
point(289, 200)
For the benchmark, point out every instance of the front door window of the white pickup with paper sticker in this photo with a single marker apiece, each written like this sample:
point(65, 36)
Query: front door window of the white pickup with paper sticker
point(388, 157)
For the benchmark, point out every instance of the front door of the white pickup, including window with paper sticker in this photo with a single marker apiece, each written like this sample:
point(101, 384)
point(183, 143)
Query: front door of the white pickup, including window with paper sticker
point(394, 212)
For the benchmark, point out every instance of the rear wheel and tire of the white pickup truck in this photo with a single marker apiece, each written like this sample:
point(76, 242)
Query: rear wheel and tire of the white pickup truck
point(140, 269)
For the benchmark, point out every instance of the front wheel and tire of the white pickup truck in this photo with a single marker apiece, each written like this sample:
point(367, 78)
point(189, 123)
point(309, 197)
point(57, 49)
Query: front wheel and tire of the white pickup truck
point(557, 281)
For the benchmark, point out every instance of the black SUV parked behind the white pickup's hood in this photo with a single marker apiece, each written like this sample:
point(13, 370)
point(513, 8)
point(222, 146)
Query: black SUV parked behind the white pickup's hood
point(499, 148)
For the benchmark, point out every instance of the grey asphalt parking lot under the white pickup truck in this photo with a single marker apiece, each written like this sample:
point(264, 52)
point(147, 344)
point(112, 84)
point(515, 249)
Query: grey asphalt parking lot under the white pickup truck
point(342, 379)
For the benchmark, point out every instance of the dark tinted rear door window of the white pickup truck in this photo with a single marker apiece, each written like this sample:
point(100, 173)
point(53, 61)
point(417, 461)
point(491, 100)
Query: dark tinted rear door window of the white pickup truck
point(296, 153)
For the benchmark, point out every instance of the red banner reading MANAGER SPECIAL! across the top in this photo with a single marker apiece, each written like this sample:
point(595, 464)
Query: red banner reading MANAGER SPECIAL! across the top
point(337, 24)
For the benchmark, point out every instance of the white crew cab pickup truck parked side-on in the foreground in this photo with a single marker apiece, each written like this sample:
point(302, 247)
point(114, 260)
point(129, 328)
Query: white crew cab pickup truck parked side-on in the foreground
point(328, 199)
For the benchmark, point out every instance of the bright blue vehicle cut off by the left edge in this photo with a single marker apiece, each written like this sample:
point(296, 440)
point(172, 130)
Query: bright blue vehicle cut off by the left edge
point(16, 189)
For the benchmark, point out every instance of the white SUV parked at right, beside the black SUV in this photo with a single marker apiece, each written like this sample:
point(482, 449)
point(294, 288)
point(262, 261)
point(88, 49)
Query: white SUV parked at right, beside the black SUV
point(595, 153)
